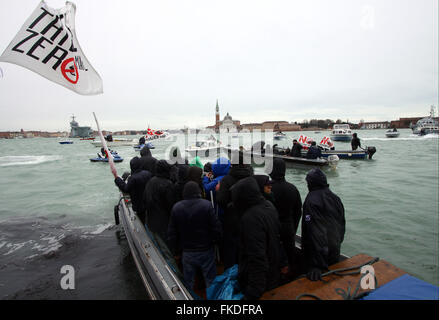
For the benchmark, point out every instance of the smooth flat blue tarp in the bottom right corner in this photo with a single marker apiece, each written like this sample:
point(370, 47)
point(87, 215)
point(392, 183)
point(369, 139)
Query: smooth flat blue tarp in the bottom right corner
point(405, 287)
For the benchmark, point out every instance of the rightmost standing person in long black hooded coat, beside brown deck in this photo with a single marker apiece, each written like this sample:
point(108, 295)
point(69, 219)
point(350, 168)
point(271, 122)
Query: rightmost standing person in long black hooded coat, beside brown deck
point(323, 226)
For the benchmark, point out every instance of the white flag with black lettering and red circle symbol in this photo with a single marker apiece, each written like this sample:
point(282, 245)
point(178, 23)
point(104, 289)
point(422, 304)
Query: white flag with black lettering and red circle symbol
point(47, 45)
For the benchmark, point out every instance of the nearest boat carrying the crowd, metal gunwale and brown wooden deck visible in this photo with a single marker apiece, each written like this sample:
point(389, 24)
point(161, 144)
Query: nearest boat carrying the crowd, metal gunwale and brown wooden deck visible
point(163, 279)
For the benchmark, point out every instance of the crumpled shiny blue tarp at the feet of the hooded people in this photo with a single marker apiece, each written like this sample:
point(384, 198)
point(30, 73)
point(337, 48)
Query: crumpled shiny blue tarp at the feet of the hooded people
point(225, 286)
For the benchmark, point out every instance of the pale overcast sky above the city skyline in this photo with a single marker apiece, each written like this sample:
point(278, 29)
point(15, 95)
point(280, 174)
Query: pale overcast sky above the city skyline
point(165, 63)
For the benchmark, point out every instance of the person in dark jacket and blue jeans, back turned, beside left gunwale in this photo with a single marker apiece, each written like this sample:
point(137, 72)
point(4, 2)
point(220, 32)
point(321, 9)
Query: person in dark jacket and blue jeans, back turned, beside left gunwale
point(194, 227)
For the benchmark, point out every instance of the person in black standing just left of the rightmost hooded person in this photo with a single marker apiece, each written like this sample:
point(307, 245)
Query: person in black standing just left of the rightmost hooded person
point(289, 206)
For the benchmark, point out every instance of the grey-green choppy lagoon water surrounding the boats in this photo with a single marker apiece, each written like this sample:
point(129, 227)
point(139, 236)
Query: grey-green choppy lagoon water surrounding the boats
point(57, 208)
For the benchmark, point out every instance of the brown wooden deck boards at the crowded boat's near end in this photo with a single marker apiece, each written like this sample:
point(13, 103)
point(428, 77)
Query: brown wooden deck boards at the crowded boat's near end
point(327, 289)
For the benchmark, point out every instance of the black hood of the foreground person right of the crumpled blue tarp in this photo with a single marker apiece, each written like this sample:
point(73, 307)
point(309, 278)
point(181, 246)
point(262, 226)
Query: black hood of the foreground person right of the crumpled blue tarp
point(246, 194)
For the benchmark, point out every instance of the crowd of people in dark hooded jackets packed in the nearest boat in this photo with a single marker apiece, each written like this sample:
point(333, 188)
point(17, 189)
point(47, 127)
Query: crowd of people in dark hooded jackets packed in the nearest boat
point(223, 212)
